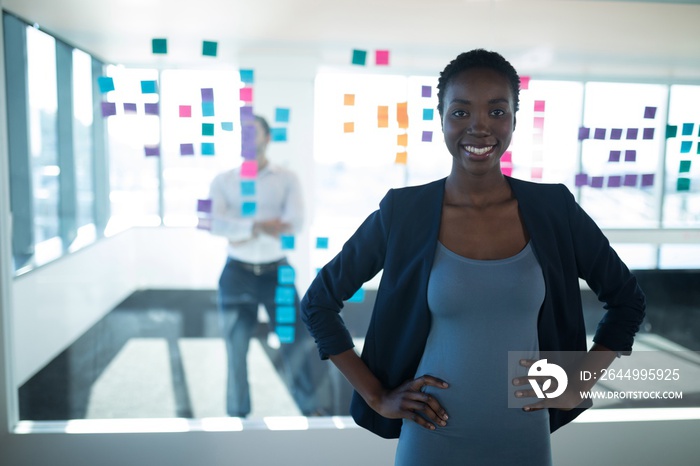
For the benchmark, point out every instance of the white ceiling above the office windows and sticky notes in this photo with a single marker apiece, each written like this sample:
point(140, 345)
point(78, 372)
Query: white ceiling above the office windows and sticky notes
point(651, 40)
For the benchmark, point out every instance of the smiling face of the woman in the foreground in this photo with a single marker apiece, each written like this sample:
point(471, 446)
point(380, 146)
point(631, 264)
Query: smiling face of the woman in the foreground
point(478, 120)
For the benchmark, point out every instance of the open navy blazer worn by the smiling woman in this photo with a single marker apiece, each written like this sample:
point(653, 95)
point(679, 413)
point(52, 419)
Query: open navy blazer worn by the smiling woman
point(401, 237)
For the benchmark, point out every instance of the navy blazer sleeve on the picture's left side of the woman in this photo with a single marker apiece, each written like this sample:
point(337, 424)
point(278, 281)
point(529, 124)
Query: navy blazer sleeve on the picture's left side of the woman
point(360, 259)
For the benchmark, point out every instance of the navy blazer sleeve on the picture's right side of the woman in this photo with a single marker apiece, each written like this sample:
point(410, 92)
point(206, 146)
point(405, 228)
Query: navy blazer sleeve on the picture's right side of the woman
point(610, 280)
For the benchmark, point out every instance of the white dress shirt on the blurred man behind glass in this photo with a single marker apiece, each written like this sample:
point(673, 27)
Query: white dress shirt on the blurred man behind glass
point(277, 196)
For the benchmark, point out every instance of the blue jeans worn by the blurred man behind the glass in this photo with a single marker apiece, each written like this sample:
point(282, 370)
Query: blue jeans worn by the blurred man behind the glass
point(241, 290)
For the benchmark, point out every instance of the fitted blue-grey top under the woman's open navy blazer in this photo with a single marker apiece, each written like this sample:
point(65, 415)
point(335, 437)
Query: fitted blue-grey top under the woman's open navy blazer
point(480, 309)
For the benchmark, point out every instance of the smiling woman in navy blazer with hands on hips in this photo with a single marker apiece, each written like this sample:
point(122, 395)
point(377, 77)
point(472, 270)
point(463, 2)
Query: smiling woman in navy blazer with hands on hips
point(474, 266)
